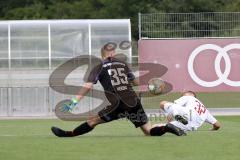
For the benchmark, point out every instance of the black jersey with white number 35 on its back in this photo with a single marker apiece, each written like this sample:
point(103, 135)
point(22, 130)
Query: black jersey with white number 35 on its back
point(115, 77)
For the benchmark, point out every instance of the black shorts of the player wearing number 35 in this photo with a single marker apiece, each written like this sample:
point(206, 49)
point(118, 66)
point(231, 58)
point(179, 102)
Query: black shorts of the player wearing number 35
point(135, 114)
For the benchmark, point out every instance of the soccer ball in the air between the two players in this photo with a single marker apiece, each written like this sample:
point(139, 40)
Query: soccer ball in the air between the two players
point(156, 85)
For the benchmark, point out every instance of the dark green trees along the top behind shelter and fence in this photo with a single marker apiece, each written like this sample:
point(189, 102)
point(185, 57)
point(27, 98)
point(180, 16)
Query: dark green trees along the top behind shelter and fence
point(94, 9)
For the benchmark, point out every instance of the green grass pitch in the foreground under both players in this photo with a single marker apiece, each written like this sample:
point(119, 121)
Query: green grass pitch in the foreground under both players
point(118, 140)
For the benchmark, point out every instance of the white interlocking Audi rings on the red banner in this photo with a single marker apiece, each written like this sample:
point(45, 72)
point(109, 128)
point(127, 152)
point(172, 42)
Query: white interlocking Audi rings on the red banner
point(221, 53)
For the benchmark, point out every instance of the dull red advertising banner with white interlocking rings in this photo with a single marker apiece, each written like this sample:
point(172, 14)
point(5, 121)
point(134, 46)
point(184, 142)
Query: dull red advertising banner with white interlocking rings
point(207, 65)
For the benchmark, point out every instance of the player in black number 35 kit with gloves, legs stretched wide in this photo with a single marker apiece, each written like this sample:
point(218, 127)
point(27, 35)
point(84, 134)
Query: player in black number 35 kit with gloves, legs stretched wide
point(117, 80)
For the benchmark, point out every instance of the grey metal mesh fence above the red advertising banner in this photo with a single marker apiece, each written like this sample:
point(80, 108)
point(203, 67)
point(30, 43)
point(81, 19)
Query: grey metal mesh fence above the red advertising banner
point(189, 25)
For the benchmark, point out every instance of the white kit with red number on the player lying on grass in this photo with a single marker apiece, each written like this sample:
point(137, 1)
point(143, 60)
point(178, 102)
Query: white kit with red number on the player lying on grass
point(192, 109)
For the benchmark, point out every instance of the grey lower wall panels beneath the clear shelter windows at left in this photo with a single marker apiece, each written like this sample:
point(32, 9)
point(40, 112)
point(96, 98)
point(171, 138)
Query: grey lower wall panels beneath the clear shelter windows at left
point(36, 101)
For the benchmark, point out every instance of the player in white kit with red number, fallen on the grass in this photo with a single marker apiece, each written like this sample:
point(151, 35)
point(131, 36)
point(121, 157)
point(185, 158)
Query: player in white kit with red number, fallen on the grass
point(188, 113)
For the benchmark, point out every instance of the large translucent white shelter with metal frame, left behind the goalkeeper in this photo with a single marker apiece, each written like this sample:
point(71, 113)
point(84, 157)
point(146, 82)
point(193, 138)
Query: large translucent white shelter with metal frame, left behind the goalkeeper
point(31, 50)
